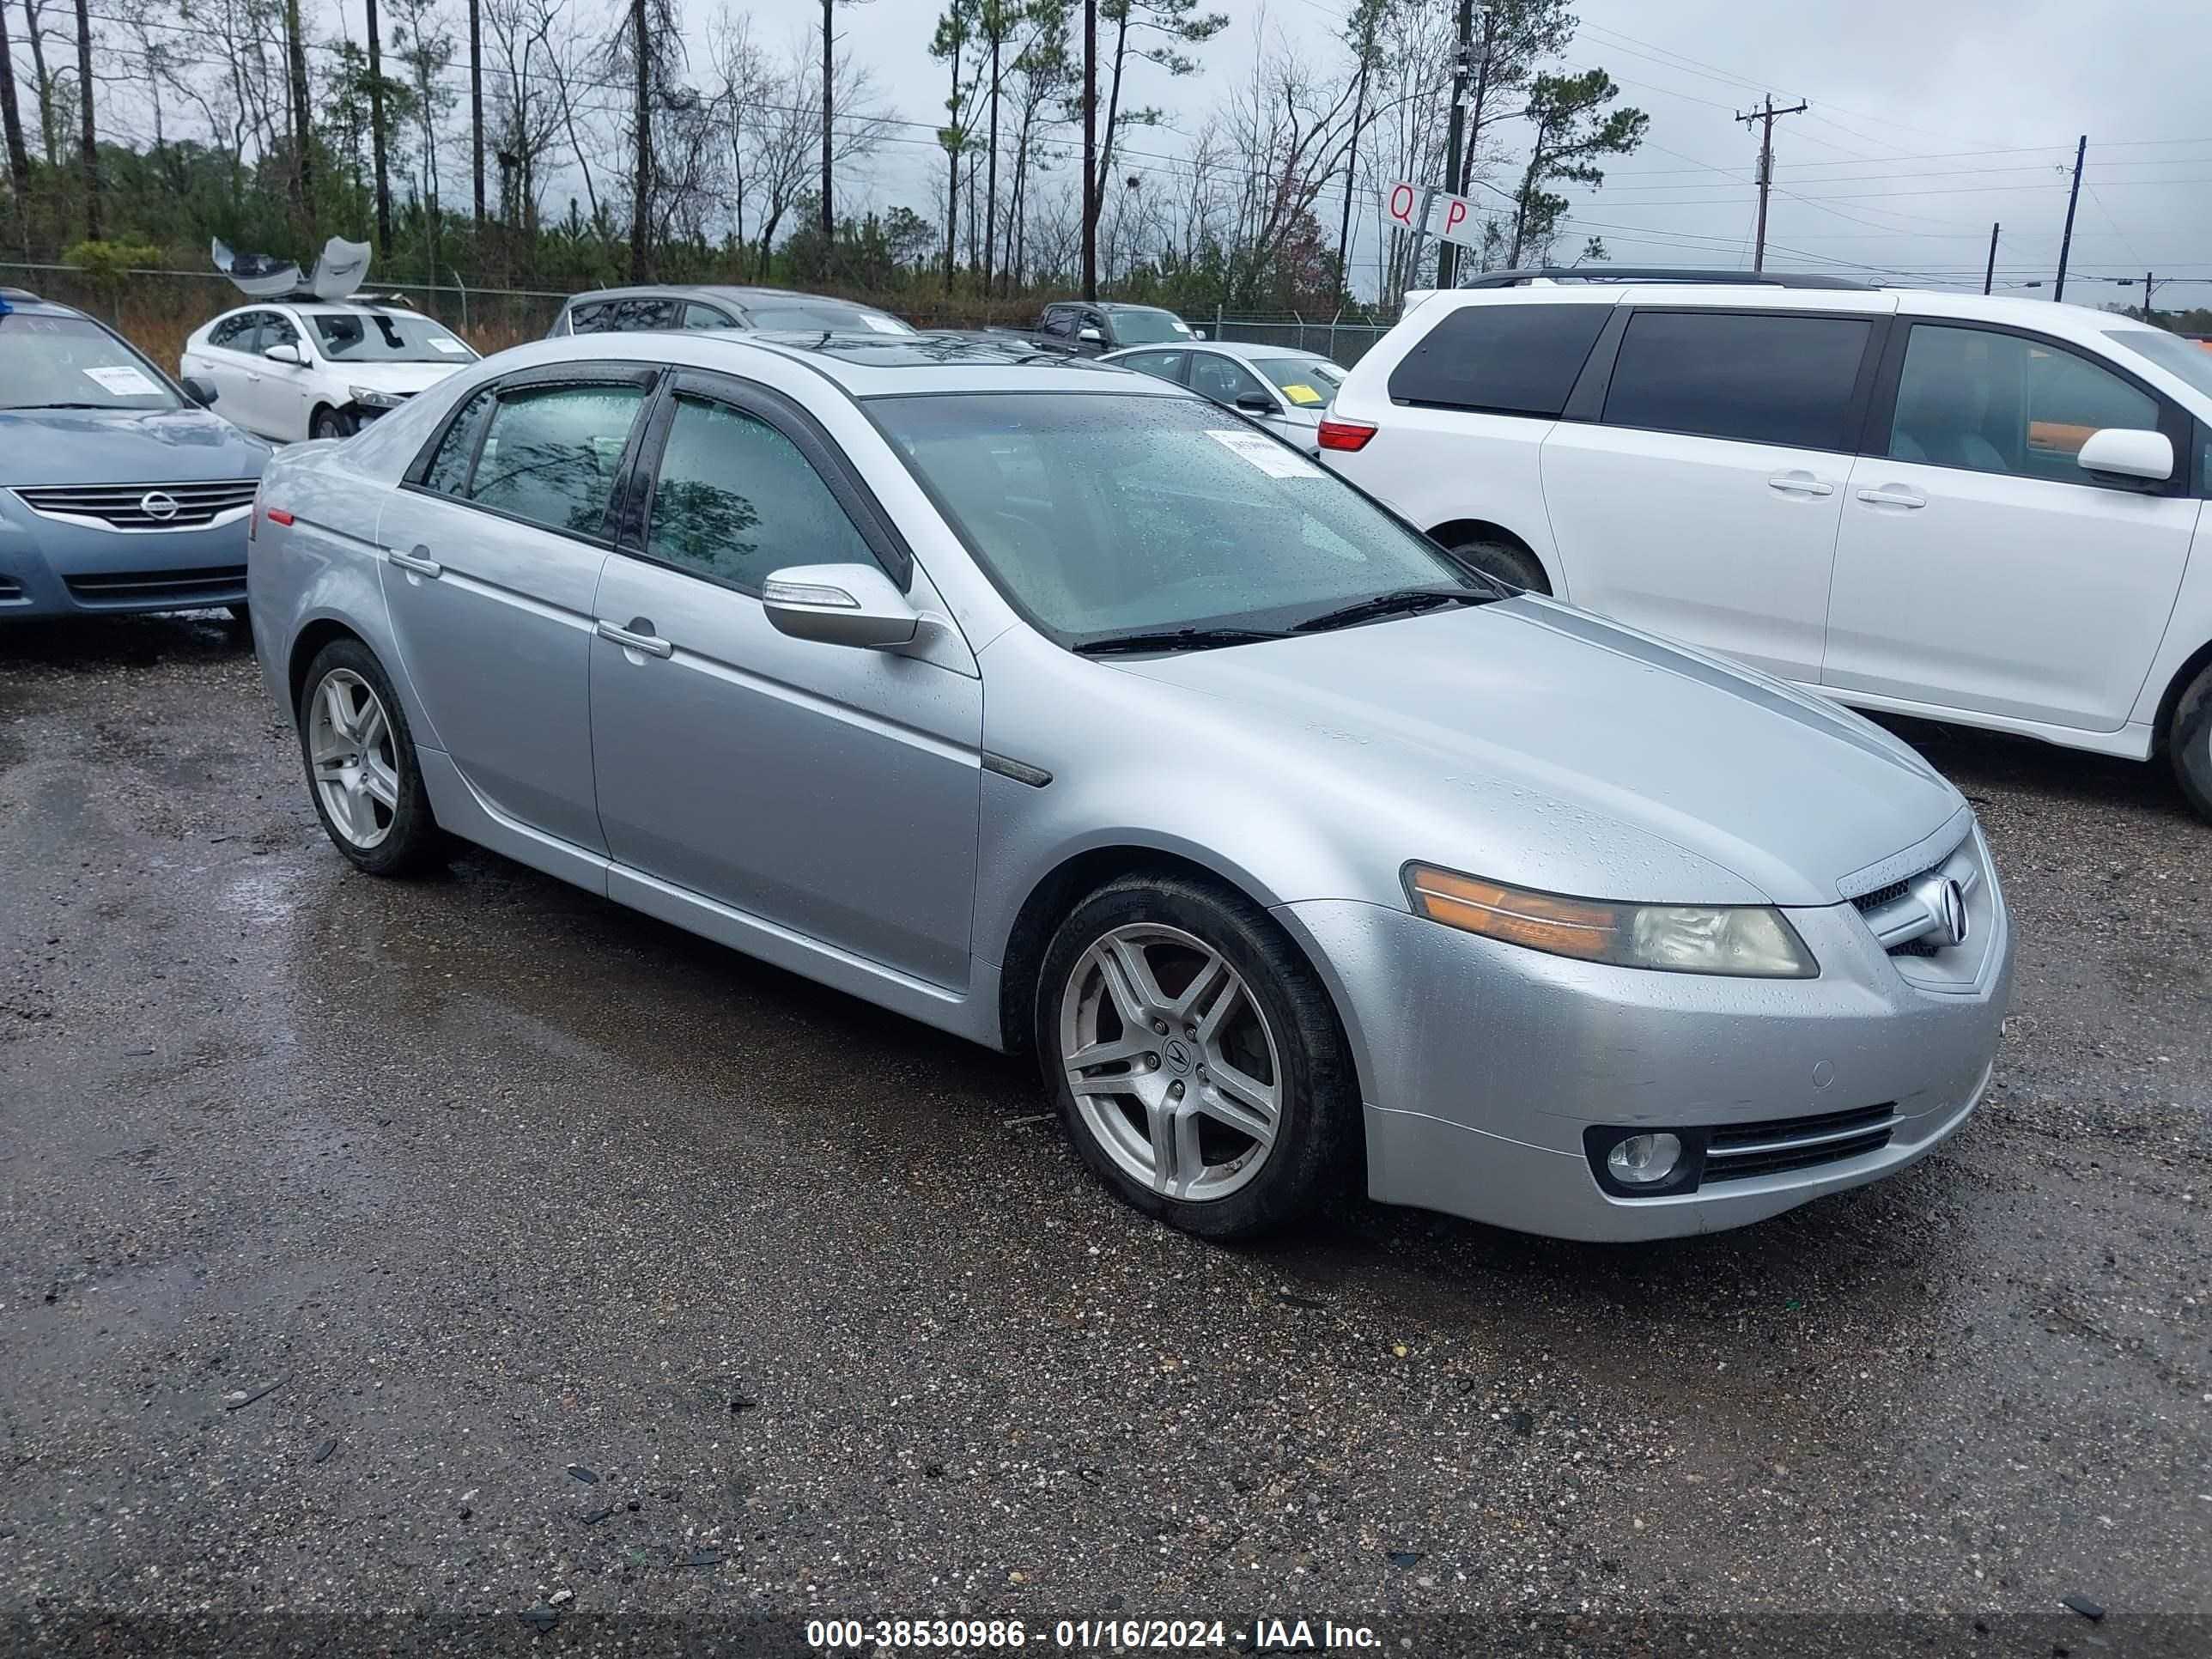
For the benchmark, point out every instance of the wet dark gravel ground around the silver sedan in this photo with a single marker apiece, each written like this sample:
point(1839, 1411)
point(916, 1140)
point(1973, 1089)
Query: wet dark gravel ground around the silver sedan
point(379, 1255)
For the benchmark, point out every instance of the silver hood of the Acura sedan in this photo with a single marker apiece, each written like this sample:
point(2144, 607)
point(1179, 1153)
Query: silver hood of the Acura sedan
point(1552, 749)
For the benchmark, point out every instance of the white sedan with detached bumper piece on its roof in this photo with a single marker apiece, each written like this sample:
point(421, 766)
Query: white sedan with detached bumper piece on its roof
point(320, 371)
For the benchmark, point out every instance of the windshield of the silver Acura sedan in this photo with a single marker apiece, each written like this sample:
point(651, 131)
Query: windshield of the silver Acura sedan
point(1103, 514)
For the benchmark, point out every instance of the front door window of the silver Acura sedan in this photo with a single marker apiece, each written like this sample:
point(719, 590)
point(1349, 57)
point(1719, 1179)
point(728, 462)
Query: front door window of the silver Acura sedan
point(738, 501)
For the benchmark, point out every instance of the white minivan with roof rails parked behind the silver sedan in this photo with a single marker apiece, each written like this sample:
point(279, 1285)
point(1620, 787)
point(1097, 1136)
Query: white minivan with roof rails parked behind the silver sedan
point(1972, 510)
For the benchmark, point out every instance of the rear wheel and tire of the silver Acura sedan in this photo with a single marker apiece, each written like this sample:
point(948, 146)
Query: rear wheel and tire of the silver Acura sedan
point(362, 764)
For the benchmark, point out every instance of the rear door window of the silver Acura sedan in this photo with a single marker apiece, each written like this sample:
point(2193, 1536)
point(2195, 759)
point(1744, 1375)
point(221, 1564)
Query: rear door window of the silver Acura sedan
point(552, 455)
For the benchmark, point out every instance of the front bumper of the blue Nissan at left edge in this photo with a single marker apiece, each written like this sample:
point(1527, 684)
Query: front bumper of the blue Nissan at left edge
point(54, 570)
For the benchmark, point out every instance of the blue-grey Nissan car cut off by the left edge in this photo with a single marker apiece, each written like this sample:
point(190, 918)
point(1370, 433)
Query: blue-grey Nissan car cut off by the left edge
point(118, 490)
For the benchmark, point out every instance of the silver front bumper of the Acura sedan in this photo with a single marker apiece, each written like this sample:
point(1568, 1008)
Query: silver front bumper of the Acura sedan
point(1483, 1065)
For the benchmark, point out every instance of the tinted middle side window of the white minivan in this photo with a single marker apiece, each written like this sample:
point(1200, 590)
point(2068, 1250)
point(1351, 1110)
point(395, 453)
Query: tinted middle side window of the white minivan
point(1757, 377)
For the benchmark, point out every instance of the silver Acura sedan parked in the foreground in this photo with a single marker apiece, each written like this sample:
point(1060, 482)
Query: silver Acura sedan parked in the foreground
point(1050, 707)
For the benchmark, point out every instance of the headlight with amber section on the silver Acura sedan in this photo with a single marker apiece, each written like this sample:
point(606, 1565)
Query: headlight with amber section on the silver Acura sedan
point(1753, 941)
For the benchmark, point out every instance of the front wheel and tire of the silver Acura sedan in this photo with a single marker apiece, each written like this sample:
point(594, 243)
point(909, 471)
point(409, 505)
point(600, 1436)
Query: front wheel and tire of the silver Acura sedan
point(1196, 1058)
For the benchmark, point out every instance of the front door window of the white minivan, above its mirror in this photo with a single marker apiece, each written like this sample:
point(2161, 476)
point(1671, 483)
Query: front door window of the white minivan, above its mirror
point(2003, 404)
